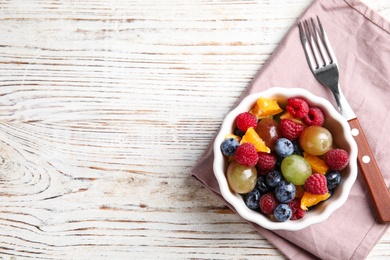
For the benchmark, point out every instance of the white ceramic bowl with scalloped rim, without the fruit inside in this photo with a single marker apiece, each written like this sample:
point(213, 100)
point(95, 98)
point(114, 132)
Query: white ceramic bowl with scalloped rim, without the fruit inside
point(341, 133)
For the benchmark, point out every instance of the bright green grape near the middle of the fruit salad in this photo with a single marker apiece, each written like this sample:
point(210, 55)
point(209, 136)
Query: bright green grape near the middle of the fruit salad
point(295, 169)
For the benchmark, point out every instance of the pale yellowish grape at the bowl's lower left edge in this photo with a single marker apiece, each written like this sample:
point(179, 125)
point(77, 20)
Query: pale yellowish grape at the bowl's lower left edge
point(241, 179)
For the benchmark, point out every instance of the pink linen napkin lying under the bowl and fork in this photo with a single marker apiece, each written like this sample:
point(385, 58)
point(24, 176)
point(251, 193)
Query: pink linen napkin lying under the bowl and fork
point(361, 41)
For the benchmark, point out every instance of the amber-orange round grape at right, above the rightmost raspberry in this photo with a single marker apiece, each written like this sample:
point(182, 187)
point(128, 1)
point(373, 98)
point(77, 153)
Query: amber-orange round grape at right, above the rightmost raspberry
point(316, 140)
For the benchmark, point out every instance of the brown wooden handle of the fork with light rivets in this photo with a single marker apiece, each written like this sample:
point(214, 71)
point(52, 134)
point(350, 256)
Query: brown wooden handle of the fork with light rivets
point(371, 173)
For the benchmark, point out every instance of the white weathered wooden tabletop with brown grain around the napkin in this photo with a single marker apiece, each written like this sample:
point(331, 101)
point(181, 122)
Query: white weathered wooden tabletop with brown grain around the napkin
point(106, 106)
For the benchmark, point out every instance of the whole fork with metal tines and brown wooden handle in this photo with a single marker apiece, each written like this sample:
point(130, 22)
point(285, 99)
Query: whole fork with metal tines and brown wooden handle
point(323, 63)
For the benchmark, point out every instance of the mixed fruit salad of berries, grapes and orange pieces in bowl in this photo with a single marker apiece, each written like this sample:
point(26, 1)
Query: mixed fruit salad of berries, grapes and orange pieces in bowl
point(283, 161)
